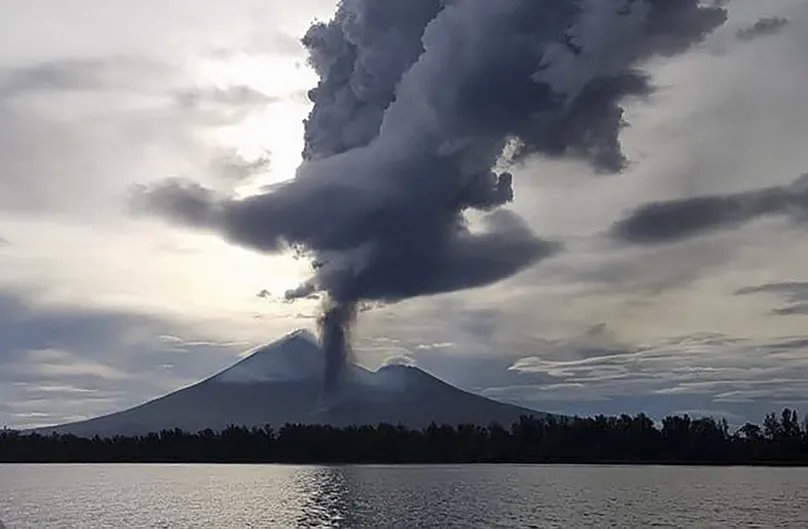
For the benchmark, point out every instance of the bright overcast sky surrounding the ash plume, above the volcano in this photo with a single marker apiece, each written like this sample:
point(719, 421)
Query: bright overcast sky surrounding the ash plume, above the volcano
point(102, 309)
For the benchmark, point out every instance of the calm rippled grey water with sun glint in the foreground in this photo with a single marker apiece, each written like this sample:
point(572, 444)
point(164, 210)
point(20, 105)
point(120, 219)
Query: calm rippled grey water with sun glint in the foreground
point(184, 496)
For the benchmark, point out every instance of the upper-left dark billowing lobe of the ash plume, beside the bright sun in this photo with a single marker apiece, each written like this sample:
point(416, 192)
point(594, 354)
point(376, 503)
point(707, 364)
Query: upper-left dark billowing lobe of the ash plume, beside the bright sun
point(360, 56)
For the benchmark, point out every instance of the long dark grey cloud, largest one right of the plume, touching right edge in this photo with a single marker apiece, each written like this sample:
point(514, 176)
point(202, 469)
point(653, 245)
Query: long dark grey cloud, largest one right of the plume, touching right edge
point(675, 220)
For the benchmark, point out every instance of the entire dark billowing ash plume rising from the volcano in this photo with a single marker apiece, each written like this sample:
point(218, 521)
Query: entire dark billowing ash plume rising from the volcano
point(416, 104)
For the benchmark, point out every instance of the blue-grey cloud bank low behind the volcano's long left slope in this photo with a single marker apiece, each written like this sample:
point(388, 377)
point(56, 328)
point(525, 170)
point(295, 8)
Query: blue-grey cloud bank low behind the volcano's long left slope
point(77, 361)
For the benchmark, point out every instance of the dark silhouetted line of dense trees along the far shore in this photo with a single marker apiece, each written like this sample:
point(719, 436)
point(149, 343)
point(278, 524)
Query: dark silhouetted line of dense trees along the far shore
point(781, 439)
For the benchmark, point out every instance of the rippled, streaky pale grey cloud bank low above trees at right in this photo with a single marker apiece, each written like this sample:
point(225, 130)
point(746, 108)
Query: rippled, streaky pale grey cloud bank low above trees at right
point(695, 369)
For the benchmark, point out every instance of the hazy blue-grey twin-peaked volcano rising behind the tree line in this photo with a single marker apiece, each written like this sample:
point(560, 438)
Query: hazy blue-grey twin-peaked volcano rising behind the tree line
point(282, 383)
